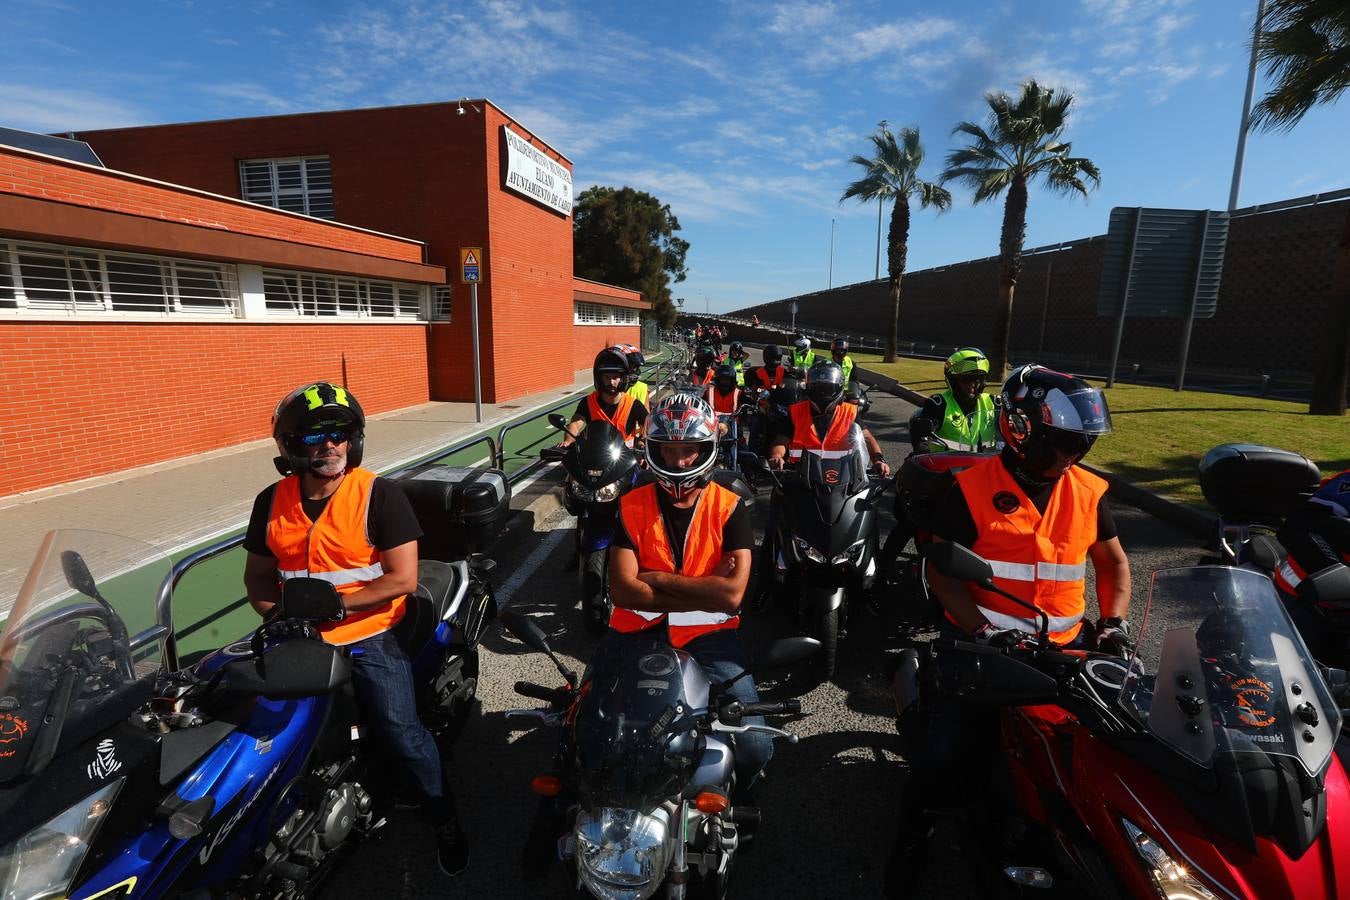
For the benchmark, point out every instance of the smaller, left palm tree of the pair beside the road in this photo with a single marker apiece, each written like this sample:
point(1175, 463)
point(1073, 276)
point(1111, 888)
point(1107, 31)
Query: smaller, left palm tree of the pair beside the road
point(893, 173)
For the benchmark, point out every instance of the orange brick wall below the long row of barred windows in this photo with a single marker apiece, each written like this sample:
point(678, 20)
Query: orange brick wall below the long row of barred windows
point(125, 395)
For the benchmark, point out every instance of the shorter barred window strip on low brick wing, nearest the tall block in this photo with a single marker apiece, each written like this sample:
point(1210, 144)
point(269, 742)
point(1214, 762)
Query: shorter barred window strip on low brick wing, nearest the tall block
point(292, 293)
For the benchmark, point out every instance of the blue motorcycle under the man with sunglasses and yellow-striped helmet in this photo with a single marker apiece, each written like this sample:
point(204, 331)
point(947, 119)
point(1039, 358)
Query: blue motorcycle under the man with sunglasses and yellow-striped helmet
point(245, 775)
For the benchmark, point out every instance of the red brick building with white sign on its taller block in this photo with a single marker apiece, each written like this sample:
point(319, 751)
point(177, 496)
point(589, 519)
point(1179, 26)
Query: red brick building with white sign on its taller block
point(132, 304)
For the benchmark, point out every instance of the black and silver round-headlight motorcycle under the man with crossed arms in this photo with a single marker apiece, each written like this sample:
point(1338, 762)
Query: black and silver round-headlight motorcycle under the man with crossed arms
point(645, 770)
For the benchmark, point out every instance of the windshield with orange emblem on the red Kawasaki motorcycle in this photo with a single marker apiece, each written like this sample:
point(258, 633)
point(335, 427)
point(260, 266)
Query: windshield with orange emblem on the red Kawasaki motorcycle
point(1220, 670)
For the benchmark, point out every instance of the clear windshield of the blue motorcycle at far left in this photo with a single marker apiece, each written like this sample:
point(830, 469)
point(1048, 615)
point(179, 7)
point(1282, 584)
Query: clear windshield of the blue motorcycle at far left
point(80, 647)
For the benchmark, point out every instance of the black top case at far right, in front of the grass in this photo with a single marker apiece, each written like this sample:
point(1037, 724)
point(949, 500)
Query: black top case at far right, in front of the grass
point(1253, 484)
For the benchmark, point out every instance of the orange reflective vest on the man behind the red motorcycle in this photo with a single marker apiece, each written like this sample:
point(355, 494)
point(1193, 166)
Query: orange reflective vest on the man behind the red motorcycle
point(1037, 557)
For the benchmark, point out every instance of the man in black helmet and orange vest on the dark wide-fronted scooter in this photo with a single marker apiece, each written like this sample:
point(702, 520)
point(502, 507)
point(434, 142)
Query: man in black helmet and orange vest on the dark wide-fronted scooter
point(823, 414)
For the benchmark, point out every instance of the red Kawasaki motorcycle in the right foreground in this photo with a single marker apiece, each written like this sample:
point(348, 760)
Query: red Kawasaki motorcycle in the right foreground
point(1202, 767)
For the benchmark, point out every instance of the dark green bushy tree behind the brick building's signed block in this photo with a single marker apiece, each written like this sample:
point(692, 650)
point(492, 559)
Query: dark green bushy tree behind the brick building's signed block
point(630, 238)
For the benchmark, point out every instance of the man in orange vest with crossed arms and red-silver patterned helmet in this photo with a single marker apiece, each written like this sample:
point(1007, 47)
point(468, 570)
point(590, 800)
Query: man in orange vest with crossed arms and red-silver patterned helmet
point(682, 558)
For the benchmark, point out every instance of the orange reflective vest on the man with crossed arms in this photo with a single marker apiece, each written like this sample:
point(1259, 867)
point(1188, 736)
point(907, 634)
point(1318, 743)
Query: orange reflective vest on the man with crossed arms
point(641, 513)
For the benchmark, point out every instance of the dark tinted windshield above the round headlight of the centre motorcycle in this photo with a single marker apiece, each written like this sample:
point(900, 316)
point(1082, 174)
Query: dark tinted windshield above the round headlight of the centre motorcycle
point(624, 756)
